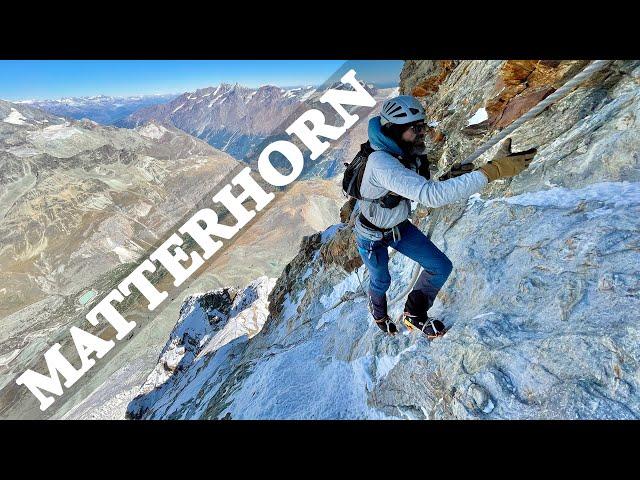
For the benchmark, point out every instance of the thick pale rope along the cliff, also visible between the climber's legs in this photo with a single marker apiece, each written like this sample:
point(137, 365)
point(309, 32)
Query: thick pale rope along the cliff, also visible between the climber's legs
point(592, 68)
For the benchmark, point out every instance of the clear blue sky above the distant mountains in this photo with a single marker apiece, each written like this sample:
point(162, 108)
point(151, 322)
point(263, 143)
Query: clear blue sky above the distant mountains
point(51, 79)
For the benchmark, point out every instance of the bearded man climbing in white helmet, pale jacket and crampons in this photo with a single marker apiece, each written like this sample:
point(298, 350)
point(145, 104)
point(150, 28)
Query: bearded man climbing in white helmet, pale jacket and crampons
point(396, 172)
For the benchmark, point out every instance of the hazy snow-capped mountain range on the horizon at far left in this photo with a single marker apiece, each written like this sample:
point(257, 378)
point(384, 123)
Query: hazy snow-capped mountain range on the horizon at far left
point(104, 109)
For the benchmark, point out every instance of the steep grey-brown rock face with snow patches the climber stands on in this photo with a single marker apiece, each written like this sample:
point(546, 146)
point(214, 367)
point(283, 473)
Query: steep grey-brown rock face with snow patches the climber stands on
point(542, 304)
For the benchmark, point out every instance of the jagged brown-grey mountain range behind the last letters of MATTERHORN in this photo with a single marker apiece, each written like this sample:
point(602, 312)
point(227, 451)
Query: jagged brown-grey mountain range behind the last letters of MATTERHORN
point(237, 119)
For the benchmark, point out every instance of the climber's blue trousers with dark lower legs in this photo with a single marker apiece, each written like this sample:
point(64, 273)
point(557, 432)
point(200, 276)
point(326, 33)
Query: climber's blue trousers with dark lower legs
point(415, 245)
